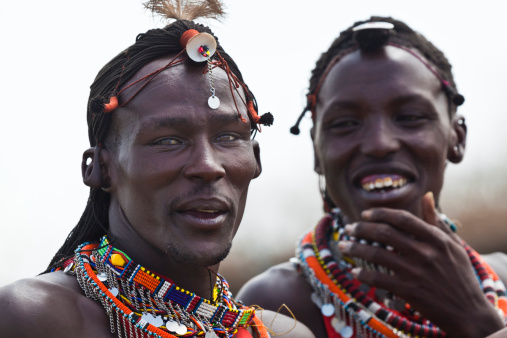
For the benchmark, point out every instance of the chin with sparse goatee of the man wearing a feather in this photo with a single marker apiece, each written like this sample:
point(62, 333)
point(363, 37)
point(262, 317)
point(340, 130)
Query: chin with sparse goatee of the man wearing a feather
point(198, 258)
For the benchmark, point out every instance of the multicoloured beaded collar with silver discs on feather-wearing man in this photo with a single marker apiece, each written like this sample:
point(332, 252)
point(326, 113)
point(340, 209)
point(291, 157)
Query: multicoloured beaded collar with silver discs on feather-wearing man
point(148, 305)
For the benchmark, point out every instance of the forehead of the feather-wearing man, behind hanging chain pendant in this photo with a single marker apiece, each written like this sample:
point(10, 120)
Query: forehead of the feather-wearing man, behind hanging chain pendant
point(180, 94)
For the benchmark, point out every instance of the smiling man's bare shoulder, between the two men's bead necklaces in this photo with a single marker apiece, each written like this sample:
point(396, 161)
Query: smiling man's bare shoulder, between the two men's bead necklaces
point(273, 287)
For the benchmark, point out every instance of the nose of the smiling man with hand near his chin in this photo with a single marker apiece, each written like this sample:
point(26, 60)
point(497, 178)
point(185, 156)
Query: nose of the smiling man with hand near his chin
point(380, 139)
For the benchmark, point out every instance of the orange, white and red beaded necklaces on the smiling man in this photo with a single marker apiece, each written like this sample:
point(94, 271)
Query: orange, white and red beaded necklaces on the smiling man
point(350, 310)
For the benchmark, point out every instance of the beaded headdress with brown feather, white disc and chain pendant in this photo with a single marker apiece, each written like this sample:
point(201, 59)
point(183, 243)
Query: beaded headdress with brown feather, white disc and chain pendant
point(200, 46)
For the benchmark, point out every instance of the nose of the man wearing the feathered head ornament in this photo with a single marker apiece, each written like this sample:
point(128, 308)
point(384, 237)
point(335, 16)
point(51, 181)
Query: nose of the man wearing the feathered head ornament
point(204, 163)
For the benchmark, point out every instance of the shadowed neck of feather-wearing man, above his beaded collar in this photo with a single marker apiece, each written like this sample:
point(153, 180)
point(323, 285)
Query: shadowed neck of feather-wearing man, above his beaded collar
point(197, 279)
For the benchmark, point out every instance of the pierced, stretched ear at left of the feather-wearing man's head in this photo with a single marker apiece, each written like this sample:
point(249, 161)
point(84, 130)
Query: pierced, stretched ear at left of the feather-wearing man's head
point(95, 173)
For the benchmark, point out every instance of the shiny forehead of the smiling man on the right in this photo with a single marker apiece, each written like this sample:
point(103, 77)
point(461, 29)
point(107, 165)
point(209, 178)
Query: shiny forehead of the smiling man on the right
point(381, 76)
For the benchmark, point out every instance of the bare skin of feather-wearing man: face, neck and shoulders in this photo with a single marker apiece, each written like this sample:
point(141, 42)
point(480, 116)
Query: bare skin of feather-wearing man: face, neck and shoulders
point(178, 174)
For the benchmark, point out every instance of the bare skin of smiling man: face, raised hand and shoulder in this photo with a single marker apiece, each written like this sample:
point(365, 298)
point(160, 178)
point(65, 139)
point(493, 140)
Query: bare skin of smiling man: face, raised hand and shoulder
point(380, 115)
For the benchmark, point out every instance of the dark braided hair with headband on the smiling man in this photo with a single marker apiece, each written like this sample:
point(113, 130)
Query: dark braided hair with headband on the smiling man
point(371, 39)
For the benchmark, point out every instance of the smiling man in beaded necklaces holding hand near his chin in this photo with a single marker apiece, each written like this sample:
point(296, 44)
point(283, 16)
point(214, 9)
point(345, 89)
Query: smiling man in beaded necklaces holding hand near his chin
point(384, 261)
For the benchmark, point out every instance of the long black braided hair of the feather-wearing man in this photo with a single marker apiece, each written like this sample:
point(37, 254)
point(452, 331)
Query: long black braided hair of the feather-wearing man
point(149, 46)
